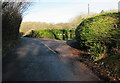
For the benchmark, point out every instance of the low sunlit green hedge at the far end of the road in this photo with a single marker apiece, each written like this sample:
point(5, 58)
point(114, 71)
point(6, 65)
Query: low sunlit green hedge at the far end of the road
point(61, 34)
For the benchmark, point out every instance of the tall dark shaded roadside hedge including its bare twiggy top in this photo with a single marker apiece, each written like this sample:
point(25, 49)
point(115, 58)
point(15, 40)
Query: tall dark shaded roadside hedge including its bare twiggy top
point(11, 19)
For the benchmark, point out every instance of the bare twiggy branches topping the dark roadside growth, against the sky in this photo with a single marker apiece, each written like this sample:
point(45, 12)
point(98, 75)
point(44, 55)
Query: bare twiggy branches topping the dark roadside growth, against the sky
point(15, 6)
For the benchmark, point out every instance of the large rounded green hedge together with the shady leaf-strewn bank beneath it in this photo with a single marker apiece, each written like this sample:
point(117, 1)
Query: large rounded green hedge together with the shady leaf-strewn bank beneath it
point(100, 37)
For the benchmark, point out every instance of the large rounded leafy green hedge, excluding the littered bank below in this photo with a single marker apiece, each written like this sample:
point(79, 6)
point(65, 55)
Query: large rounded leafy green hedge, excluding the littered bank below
point(100, 34)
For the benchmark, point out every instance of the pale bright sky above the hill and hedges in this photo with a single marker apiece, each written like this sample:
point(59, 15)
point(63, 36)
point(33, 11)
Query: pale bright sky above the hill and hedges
point(60, 11)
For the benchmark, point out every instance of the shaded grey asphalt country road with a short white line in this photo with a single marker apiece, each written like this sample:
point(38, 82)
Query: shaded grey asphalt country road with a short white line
point(44, 60)
